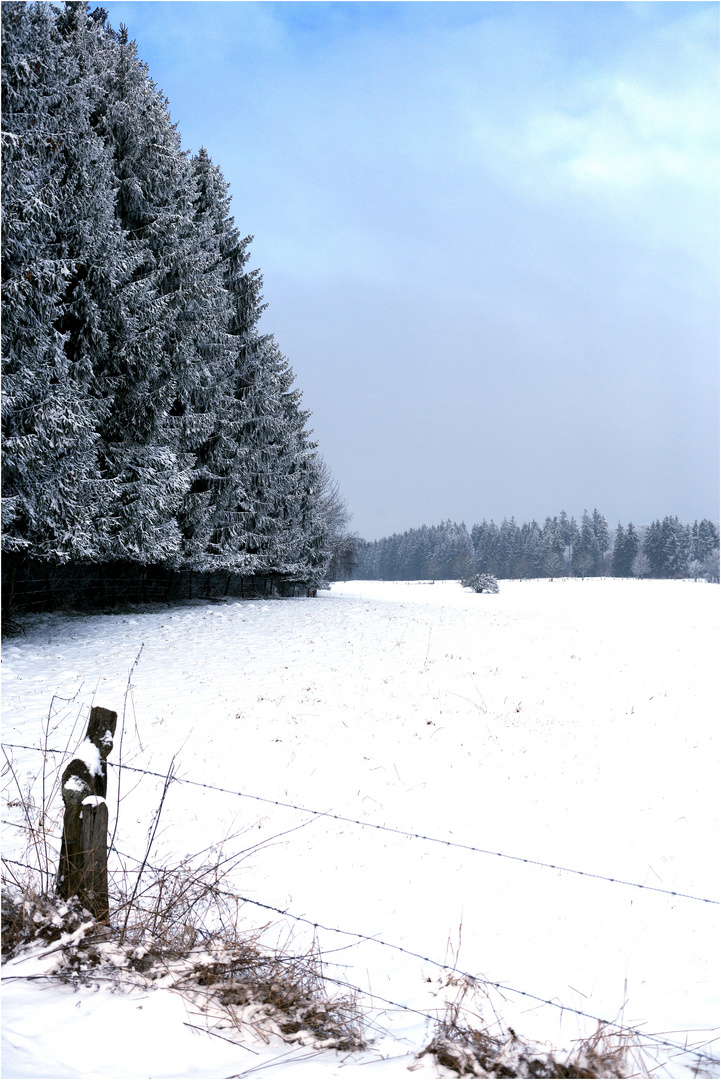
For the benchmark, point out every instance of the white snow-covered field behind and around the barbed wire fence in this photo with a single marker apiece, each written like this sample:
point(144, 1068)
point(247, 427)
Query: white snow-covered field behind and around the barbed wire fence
point(567, 723)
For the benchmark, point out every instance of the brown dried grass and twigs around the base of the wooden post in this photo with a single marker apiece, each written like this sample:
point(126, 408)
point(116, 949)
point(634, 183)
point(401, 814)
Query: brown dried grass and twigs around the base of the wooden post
point(184, 935)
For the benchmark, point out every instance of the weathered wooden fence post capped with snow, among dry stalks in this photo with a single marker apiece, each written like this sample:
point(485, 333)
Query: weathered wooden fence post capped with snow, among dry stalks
point(84, 869)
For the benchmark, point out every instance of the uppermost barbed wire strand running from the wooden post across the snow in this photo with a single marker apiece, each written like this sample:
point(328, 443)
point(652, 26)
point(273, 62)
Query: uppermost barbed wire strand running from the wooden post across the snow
point(398, 832)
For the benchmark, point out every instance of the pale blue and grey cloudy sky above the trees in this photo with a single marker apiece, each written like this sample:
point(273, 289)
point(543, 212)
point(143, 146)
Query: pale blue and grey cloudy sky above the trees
point(488, 235)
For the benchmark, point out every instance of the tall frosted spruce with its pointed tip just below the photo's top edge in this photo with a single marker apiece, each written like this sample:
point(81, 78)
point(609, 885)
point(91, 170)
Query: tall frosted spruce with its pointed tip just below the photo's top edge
point(154, 368)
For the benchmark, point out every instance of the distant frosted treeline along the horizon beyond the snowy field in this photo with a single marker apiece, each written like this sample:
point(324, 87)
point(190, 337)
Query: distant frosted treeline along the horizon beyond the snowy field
point(561, 547)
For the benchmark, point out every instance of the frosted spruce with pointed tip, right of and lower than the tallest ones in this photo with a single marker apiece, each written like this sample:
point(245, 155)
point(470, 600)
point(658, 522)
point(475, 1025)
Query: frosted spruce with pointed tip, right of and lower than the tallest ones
point(216, 415)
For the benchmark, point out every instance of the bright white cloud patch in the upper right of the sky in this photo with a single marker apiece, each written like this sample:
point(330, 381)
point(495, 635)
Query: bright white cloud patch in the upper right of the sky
point(641, 120)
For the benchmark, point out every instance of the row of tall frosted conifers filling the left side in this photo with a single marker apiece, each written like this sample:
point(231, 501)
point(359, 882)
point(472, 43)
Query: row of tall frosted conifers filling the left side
point(145, 415)
